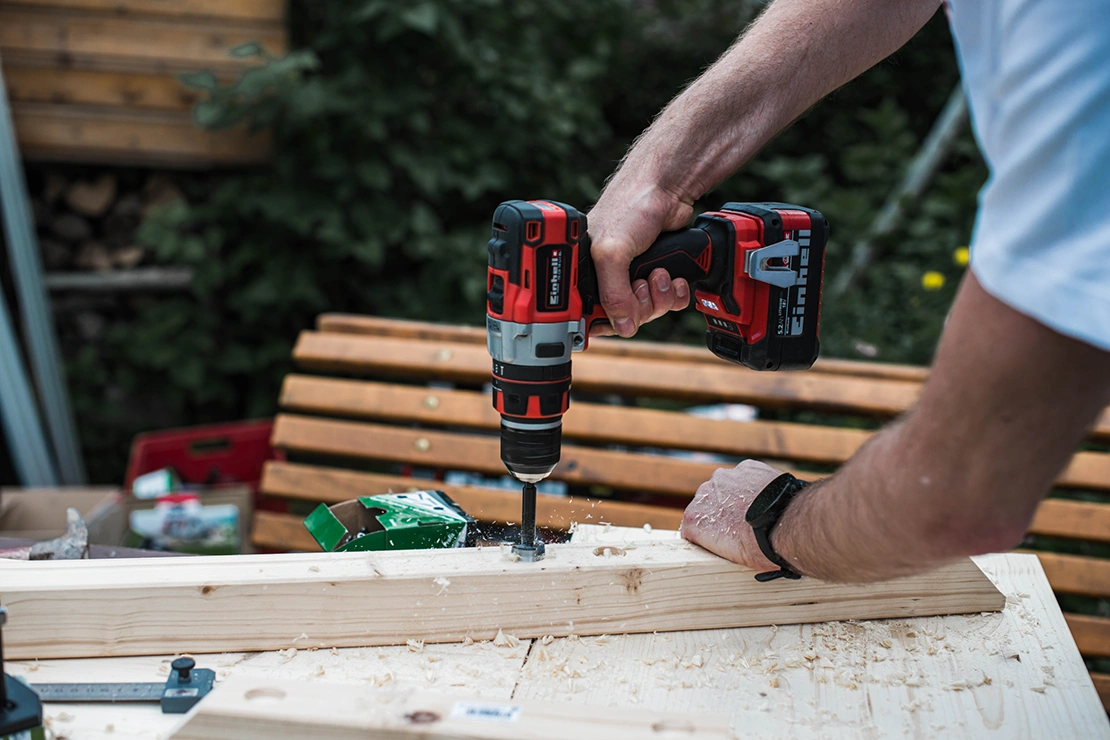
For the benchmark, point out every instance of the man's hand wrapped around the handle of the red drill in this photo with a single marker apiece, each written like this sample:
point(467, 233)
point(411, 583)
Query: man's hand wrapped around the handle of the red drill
point(623, 225)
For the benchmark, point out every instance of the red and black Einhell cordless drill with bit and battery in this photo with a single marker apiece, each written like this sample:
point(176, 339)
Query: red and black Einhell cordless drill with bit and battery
point(755, 270)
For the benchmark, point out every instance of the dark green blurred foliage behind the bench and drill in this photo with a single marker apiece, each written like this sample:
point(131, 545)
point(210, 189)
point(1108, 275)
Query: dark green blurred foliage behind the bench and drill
point(397, 129)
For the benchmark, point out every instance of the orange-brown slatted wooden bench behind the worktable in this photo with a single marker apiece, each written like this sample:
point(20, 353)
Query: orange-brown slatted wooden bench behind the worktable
point(362, 412)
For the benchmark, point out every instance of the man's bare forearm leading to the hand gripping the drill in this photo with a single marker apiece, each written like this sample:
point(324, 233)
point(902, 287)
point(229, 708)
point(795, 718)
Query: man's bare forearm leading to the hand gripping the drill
point(795, 54)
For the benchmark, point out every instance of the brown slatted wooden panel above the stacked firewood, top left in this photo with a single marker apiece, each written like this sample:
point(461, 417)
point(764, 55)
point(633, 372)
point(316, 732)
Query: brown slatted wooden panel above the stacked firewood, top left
point(96, 80)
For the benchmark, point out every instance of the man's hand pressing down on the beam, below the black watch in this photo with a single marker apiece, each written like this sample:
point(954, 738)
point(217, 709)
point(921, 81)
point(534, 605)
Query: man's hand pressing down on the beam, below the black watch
point(715, 520)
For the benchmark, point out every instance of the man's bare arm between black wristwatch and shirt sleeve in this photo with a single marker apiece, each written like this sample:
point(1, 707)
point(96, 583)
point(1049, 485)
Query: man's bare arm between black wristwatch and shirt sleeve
point(1007, 403)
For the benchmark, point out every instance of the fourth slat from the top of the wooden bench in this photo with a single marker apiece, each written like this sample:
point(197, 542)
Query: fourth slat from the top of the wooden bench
point(468, 452)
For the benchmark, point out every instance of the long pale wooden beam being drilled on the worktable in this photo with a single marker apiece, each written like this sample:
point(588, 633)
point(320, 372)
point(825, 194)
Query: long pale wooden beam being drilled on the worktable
point(94, 609)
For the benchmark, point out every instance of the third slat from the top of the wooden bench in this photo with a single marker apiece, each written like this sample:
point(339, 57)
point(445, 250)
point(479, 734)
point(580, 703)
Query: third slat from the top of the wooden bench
point(586, 421)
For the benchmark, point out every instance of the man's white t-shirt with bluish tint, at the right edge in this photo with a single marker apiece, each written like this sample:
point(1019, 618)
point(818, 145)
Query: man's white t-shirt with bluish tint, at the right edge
point(1037, 77)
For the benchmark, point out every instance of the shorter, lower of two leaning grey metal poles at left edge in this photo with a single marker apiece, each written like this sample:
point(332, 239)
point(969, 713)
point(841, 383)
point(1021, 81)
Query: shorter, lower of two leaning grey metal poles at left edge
point(18, 413)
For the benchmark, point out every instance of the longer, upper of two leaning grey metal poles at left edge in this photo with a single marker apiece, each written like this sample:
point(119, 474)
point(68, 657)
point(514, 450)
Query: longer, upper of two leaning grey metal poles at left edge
point(38, 328)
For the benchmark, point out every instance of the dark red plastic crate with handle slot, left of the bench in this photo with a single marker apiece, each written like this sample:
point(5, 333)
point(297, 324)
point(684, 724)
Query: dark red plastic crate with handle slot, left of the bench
point(207, 455)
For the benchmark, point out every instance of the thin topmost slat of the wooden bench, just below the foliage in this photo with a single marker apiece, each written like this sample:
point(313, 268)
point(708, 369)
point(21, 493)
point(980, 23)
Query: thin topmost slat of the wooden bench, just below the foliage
point(613, 348)
